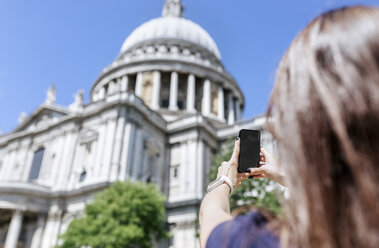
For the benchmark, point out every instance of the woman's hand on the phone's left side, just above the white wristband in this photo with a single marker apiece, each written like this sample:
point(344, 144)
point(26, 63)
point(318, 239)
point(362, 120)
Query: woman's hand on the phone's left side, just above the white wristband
point(229, 168)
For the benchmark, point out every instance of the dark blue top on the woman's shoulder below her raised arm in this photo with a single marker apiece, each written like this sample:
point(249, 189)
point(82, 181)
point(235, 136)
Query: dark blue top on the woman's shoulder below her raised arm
point(245, 231)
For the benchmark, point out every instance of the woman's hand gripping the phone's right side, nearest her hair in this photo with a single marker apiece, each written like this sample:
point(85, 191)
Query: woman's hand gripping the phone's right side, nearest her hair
point(269, 168)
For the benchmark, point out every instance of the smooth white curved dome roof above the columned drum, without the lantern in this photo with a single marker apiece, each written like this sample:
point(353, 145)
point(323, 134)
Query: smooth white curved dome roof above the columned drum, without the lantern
point(171, 27)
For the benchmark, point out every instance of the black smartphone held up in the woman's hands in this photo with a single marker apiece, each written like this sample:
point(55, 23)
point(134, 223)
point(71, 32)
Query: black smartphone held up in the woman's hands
point(249, 149)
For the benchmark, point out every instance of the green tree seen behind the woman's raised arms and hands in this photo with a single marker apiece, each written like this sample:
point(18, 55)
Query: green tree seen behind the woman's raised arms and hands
point(258, 192)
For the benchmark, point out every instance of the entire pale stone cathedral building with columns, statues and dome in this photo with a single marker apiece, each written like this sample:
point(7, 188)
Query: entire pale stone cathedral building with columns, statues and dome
point(157, 114)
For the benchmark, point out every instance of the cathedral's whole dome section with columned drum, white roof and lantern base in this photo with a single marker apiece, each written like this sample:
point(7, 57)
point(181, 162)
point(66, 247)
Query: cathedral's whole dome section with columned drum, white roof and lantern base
point(173, 66)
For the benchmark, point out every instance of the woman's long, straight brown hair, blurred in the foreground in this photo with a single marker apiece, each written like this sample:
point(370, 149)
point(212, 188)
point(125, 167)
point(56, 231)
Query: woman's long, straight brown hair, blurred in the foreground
point(325, 117)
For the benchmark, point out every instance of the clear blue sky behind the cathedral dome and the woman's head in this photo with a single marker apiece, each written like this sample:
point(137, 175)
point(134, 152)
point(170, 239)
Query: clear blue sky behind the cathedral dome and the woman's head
point(69, 42)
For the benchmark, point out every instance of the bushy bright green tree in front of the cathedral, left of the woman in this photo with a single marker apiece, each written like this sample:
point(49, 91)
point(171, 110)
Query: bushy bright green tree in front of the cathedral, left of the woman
point(124, 215)
